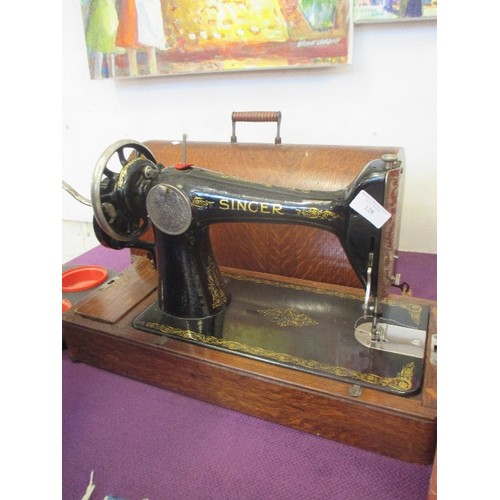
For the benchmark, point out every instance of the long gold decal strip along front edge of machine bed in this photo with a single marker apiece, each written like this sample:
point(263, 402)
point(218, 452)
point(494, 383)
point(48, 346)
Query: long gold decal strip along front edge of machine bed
point(401, 382)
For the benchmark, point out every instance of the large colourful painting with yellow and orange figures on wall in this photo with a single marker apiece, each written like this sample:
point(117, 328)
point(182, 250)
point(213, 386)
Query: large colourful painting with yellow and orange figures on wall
point(134, 38)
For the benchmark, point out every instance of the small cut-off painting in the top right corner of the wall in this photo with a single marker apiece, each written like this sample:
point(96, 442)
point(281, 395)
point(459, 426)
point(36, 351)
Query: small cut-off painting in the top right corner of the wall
point(394, 10)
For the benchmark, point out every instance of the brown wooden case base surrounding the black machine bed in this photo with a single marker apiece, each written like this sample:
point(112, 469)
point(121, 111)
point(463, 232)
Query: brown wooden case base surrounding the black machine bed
point(98, 331)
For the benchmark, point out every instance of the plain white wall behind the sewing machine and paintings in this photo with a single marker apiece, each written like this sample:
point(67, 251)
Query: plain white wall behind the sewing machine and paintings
point(387, 97)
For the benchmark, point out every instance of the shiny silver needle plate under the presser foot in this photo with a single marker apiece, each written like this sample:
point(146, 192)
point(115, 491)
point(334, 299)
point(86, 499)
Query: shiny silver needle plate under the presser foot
point(393, 338)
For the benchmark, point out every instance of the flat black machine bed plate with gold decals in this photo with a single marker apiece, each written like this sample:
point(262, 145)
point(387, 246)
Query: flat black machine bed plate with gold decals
point(301, 327)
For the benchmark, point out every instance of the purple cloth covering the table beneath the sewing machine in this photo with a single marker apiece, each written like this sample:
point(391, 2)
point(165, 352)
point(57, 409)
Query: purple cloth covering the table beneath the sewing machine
point(145, 442)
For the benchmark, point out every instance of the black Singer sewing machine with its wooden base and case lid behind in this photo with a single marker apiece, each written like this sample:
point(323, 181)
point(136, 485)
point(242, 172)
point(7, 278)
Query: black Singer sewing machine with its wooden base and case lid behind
point(217, 308)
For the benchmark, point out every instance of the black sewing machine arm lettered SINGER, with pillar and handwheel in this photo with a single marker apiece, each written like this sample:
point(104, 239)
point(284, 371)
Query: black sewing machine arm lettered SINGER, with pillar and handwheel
point(182, 202)
